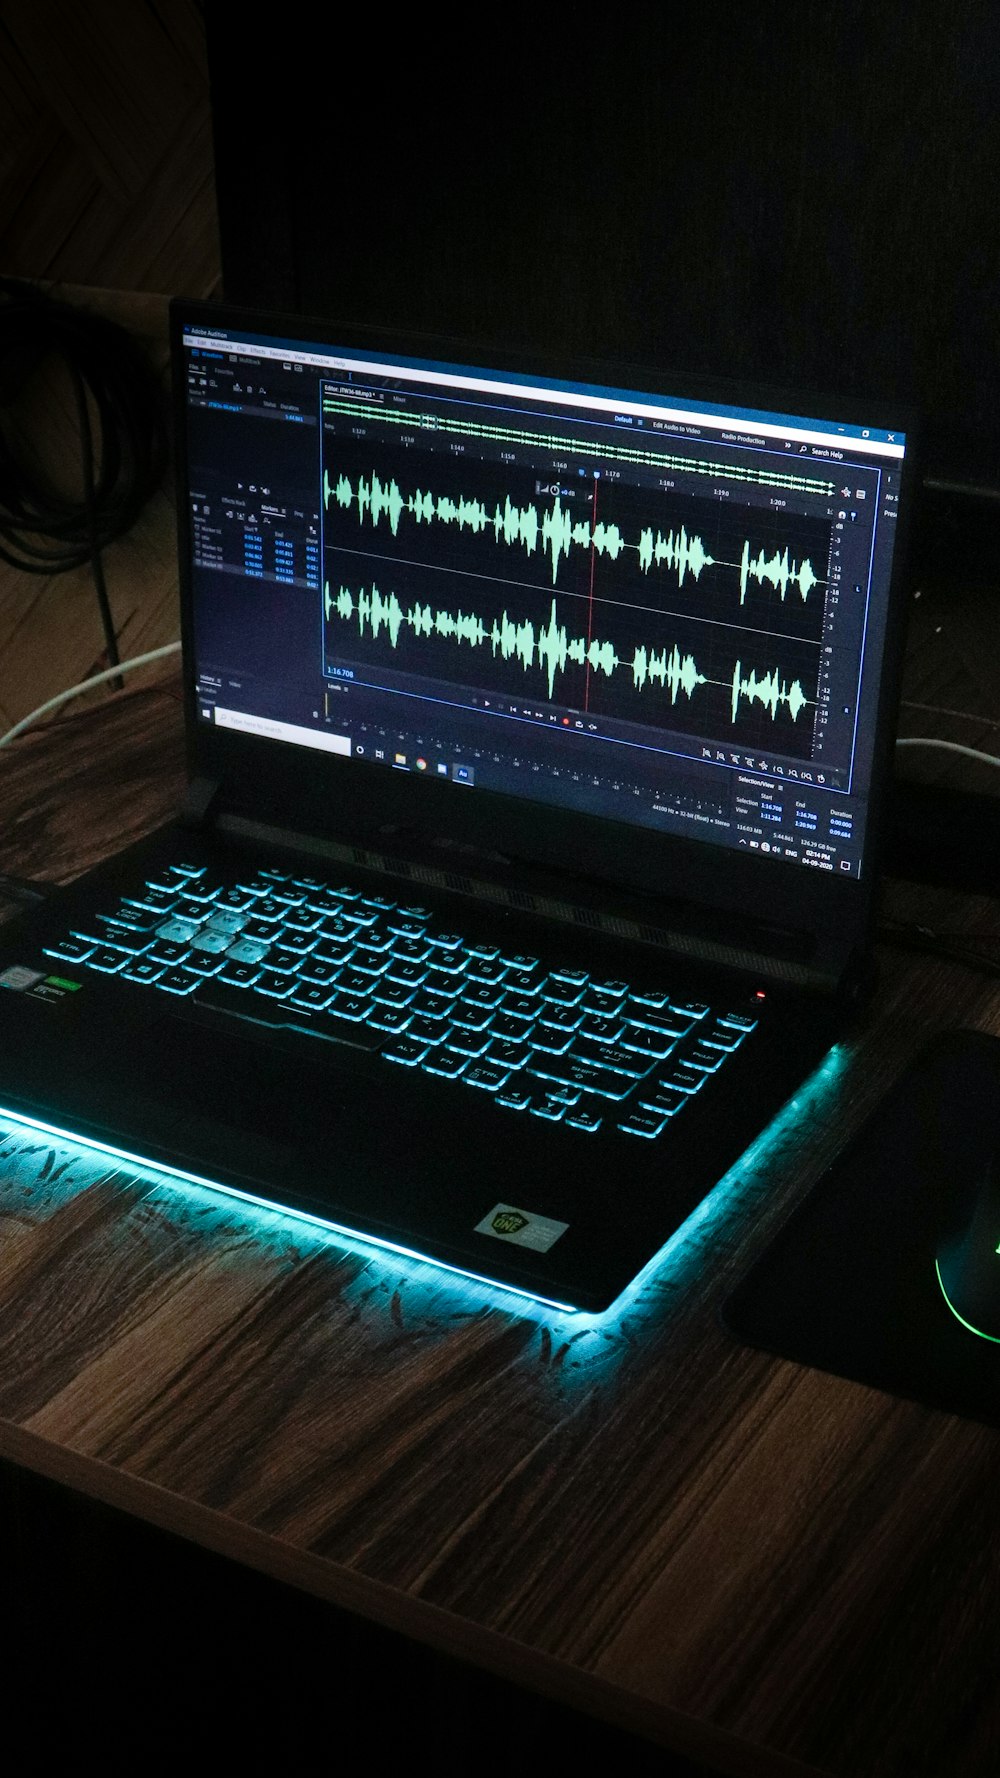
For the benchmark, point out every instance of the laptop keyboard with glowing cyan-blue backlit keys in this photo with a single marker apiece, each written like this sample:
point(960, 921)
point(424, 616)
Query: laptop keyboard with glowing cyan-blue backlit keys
point(382, 977)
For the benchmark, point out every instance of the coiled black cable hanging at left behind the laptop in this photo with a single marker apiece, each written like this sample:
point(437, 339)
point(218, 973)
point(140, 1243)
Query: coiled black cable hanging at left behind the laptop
point(42, 529)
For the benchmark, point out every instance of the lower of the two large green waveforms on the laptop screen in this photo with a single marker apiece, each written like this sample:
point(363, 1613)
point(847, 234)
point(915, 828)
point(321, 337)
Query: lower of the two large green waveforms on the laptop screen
point(552, 648)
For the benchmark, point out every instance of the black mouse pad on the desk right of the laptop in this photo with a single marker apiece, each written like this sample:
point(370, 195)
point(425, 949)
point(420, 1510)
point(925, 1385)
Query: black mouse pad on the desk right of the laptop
point(850, 1285)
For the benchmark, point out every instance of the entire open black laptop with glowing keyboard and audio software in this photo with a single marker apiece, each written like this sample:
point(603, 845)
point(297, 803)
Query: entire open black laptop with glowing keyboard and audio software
point(538, 719)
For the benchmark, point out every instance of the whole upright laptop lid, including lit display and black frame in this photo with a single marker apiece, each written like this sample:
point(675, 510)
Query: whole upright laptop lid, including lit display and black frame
point(556, 623)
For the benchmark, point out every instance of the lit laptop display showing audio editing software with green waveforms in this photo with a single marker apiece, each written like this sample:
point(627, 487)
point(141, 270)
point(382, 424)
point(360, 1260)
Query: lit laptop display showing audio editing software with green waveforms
point(641, 605)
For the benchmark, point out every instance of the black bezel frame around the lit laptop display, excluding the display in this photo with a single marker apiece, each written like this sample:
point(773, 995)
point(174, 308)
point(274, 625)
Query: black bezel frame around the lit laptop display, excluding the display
point(334, 797)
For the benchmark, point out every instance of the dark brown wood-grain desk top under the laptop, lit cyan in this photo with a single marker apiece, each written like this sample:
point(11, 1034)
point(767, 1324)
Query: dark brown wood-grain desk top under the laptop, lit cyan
point(739, 1558)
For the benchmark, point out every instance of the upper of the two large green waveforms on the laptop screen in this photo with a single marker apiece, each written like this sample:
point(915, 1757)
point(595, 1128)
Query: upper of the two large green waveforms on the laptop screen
point(558, 533)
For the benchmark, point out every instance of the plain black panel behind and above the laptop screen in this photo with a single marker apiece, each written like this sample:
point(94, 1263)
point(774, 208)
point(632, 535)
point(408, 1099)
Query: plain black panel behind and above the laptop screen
point(798, 191)
